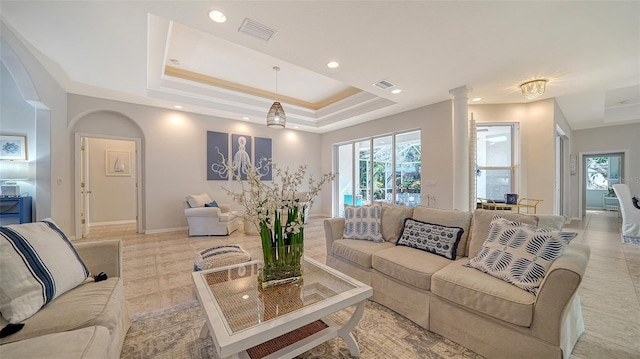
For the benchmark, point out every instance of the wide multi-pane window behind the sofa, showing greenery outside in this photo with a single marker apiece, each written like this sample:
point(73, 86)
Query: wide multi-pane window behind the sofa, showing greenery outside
point(385, 168)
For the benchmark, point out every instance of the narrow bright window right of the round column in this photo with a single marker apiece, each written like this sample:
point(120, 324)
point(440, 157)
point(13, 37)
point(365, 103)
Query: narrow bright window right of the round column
point(495, 159)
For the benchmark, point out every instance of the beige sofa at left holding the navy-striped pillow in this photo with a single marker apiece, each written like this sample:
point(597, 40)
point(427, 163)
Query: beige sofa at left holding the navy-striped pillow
point(89, 321)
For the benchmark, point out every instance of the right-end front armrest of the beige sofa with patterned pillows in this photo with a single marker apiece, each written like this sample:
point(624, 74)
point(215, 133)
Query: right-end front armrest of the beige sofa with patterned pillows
point(557, 291)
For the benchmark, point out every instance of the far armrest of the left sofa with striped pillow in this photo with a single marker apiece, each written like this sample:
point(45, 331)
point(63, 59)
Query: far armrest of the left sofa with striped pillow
point(102, 256)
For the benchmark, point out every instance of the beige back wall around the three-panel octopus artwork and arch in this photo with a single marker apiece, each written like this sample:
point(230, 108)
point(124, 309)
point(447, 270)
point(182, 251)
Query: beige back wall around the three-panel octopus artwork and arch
point(174, 151)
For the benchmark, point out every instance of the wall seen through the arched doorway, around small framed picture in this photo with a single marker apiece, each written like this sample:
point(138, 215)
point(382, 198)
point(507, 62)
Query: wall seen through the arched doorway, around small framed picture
point(113, 198)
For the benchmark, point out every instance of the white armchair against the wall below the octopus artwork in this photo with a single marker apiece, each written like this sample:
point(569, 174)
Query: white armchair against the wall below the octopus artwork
point(209, 221)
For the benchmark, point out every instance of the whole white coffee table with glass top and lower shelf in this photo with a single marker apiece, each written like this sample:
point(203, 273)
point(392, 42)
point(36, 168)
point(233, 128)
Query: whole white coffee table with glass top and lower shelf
point(246, 321)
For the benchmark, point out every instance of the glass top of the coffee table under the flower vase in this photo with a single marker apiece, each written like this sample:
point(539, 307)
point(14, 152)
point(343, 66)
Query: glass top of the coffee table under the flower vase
point(242, 303)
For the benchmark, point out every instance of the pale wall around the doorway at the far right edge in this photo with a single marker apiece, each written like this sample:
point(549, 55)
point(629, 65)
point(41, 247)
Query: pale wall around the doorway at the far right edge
point(621, 138)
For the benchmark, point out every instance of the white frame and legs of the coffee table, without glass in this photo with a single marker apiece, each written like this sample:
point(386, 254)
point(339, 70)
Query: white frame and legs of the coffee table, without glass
point(235, 345)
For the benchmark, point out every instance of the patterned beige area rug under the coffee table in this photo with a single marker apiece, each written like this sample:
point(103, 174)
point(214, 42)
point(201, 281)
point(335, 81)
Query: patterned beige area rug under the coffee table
point(174, 333)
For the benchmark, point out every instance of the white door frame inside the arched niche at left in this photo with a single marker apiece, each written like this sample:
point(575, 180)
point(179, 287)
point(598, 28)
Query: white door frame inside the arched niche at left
point(78, 176)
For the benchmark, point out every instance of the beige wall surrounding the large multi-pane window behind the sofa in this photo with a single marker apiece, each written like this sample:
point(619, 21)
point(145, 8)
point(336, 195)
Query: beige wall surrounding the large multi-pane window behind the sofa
point(437, 140)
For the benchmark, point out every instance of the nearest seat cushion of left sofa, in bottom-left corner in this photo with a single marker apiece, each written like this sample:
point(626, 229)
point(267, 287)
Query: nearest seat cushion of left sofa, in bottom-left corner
point(89, 343)
